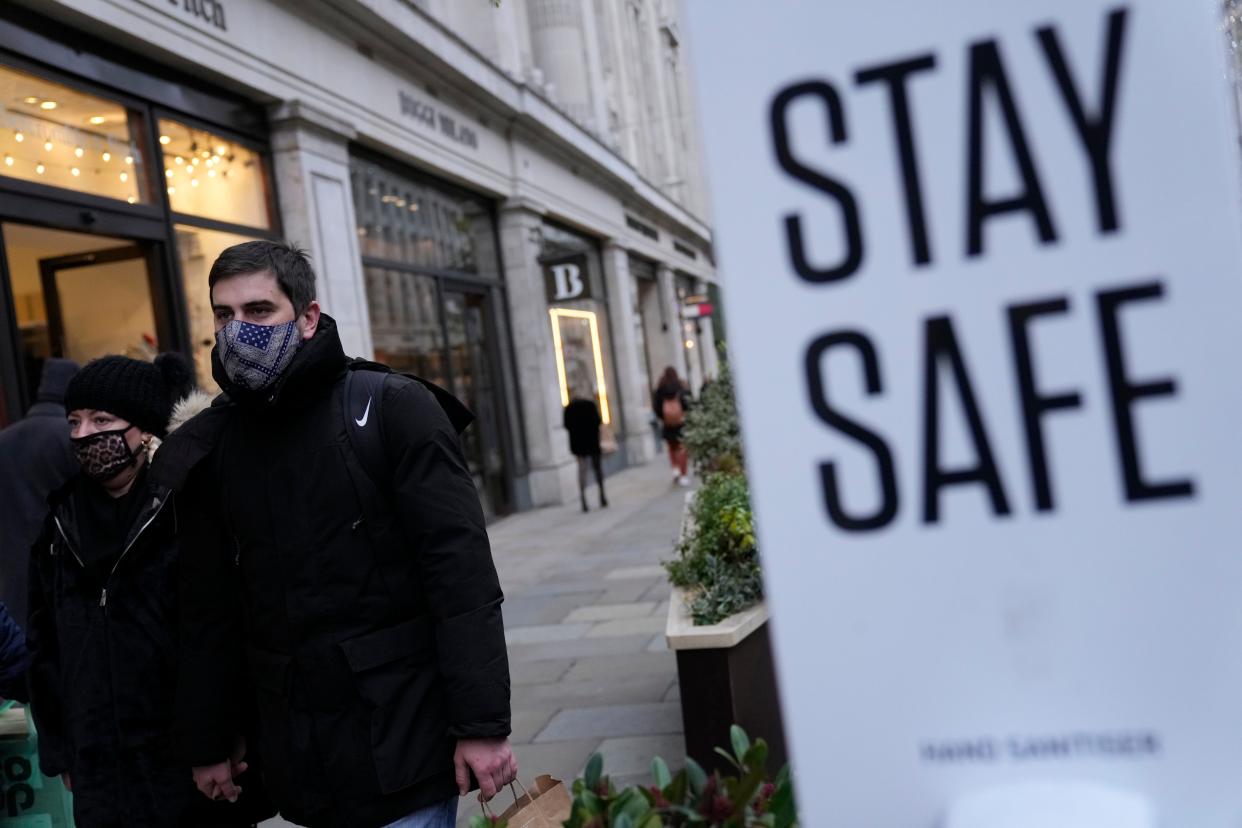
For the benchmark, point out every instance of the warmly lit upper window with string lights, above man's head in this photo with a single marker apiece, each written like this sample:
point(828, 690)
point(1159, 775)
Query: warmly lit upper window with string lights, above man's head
point(213, 178)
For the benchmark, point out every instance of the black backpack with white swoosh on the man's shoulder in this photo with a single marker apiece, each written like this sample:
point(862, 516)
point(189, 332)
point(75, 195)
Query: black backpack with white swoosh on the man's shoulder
point(362, 408)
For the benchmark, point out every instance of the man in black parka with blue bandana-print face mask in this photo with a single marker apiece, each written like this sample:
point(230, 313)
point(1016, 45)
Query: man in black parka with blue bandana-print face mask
point(363, 603)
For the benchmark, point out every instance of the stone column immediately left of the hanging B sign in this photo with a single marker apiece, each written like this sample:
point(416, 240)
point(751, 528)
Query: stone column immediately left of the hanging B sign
point(553, 475)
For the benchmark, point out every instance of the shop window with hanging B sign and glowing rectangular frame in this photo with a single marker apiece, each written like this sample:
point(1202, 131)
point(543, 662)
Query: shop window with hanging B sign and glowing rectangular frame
point(574, 279)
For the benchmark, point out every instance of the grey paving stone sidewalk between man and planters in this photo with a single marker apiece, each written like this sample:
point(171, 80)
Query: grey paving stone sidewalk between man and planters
point(584, 614)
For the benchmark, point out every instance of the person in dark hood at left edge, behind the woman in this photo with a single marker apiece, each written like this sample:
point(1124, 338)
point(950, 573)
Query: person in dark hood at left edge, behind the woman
point(37, 460)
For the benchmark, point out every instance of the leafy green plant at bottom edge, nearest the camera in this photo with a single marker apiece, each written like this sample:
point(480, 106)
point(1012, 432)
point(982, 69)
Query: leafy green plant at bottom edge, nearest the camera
point(747, 799)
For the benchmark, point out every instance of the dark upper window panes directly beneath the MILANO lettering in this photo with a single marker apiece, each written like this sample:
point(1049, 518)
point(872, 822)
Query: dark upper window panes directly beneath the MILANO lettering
point(404, 220)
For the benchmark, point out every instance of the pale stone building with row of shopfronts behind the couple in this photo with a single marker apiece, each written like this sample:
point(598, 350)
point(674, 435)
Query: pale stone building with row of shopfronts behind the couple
point(504, 200)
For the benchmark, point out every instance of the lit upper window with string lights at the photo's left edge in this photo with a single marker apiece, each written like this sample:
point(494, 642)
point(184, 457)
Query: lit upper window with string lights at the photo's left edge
point(57, 136)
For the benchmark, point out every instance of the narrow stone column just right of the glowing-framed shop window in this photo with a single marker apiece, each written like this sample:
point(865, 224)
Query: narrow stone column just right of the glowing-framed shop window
point(635, 404)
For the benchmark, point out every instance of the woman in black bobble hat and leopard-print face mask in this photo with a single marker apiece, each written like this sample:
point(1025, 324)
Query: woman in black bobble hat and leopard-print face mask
point(104, 610)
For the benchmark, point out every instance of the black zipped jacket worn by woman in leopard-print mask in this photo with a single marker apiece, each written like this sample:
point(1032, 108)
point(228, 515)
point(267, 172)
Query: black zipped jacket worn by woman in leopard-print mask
point(105, 661)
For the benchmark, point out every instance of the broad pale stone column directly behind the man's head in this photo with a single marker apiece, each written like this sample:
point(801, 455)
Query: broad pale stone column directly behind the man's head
point(311, 161)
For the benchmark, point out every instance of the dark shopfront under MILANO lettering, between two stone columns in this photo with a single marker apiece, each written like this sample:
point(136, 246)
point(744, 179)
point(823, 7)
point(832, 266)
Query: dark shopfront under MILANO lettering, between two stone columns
point(437, 304)
